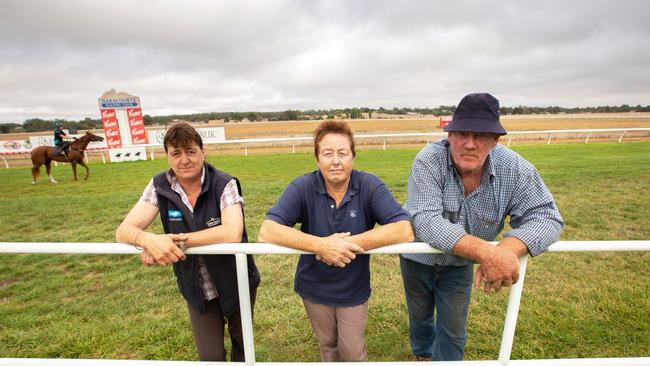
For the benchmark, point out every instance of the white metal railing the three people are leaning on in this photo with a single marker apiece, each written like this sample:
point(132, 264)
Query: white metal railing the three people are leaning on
point(240, 251)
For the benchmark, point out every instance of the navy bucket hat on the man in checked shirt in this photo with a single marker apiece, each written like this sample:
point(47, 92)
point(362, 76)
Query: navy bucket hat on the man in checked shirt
point(477, 112)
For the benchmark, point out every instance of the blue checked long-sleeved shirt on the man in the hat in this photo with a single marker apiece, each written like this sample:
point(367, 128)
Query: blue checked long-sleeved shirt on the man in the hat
point(510, 186)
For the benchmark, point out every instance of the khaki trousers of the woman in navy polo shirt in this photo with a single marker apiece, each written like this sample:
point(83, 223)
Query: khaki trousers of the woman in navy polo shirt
point(340, 331)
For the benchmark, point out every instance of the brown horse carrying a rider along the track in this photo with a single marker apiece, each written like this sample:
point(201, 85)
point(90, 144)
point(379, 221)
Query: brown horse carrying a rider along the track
point(75, 155)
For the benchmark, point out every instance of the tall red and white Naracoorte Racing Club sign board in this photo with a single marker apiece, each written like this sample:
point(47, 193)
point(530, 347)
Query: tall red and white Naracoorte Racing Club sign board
point(123, 125)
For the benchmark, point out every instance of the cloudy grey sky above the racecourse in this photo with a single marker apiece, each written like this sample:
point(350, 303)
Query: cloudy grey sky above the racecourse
point(57, 57)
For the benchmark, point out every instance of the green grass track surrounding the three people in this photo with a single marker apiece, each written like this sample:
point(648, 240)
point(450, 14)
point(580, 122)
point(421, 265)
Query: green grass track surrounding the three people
point(108, 306)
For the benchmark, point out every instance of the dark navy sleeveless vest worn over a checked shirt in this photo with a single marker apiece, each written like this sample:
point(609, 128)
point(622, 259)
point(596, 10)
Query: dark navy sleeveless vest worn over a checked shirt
point(177, 218)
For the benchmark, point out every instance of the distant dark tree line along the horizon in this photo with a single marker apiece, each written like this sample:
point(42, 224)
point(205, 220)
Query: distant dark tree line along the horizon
point(38, 124)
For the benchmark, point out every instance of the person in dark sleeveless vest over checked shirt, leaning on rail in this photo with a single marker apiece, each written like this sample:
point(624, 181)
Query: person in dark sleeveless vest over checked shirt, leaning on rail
point(198, 205)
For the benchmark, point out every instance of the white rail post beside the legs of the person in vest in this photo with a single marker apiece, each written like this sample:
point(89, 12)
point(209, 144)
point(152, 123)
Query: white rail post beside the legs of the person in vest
point(245, 308)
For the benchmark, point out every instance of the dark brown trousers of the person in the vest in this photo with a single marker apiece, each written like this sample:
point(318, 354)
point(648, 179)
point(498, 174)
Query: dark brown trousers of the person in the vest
point(208, 330)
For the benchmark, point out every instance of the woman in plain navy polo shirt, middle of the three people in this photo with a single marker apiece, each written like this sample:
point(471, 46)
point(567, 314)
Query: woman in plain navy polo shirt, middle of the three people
point(337, 208)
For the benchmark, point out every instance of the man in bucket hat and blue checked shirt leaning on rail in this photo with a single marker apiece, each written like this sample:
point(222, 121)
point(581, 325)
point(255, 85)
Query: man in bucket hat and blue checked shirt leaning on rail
point(460, 191)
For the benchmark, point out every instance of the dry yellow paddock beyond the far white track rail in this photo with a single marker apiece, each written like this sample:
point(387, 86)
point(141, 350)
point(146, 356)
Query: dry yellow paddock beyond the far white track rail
point(255, 130)
